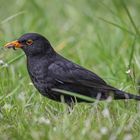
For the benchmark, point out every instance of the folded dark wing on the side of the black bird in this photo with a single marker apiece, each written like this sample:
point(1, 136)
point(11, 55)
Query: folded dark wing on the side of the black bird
point(68, 72)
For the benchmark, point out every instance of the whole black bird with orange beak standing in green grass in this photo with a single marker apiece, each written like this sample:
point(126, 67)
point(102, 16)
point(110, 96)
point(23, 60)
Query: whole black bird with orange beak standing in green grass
point(50, 71)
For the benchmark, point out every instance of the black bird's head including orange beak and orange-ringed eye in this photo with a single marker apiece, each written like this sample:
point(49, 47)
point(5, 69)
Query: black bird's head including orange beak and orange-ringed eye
point(32, 44)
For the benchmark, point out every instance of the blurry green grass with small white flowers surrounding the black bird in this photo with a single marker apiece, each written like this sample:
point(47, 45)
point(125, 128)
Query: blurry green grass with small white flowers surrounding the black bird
point(102, 36)
